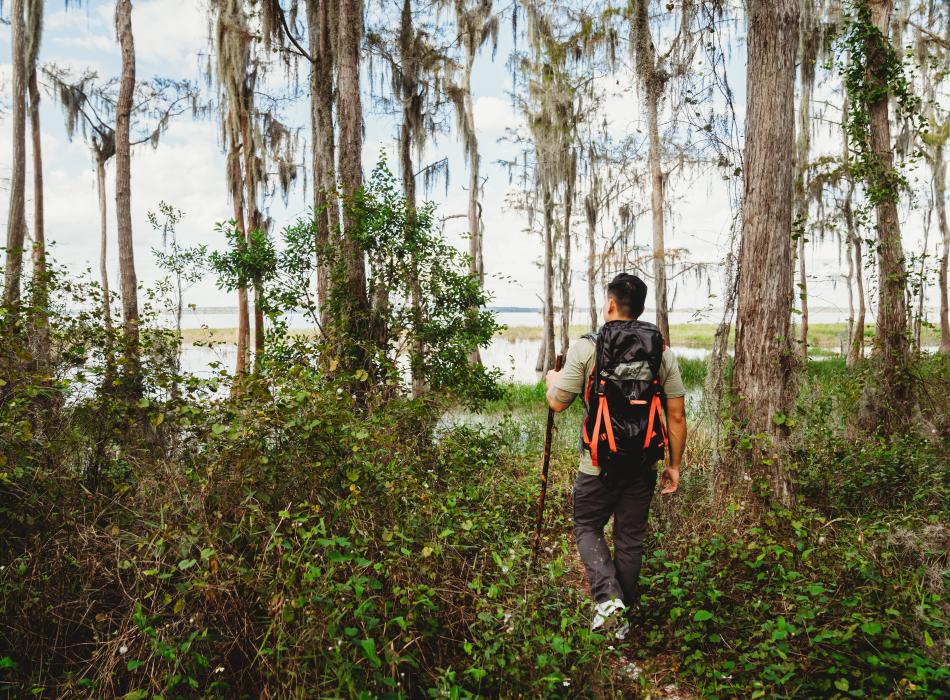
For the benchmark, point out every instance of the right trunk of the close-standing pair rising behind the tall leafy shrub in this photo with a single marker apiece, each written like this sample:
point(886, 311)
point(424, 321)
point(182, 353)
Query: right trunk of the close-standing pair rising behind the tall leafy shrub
point(350, 121)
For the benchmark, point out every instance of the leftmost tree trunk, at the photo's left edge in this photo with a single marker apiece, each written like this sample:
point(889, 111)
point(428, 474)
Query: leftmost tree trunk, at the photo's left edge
point(16, 216)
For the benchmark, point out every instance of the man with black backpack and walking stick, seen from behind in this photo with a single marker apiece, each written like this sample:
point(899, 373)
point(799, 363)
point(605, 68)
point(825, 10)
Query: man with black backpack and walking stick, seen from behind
point(623, 438)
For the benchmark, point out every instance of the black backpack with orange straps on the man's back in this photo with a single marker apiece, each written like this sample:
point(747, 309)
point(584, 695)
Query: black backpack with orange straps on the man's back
point(623, 428)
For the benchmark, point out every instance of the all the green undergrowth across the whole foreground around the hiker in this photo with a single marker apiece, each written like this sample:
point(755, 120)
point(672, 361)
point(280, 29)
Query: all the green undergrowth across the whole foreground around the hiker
point(291, 543)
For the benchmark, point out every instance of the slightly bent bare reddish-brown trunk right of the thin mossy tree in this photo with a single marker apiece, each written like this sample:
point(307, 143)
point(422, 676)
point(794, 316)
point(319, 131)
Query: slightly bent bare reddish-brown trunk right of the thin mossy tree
point(123, 178)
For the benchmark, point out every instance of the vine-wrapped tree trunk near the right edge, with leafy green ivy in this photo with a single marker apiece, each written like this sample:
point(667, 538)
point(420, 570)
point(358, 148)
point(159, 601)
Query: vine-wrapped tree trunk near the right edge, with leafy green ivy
point(889, 402)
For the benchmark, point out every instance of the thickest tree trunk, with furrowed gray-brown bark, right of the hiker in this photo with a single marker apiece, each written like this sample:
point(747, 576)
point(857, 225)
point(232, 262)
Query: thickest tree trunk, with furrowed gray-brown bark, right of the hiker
point(762, 378)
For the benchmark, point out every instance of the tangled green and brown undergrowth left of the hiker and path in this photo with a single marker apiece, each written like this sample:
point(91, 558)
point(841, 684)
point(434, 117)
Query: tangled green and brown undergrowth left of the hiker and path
point(291, 546)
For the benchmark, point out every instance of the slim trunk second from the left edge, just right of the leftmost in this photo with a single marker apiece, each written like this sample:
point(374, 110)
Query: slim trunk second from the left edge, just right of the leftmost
point(40, 274)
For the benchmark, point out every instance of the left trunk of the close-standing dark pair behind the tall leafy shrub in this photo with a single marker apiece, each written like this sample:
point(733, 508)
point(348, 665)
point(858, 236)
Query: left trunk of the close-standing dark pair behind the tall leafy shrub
point(321, 28)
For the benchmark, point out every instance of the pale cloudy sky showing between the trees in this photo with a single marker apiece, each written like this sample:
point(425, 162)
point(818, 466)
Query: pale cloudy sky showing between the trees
point(187, 169)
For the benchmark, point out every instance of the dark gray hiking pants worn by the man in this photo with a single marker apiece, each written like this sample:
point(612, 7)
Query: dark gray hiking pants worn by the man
point(595, 500)
